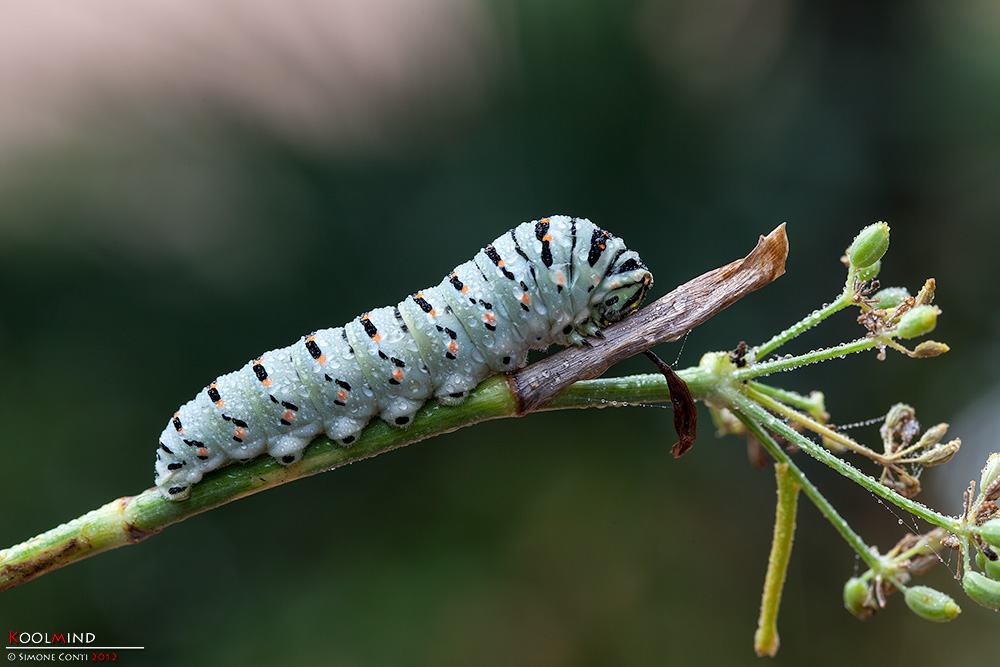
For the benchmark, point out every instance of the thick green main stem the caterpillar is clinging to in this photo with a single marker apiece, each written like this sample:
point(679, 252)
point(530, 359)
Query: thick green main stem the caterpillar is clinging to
point(131, 519)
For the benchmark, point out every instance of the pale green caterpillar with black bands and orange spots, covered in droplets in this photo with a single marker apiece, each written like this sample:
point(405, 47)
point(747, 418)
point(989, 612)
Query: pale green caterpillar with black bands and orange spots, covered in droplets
point(553, 280)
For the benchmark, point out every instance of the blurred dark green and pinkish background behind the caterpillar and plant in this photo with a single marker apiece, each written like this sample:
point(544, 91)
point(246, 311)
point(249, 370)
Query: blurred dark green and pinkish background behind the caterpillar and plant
point(186, 184)
